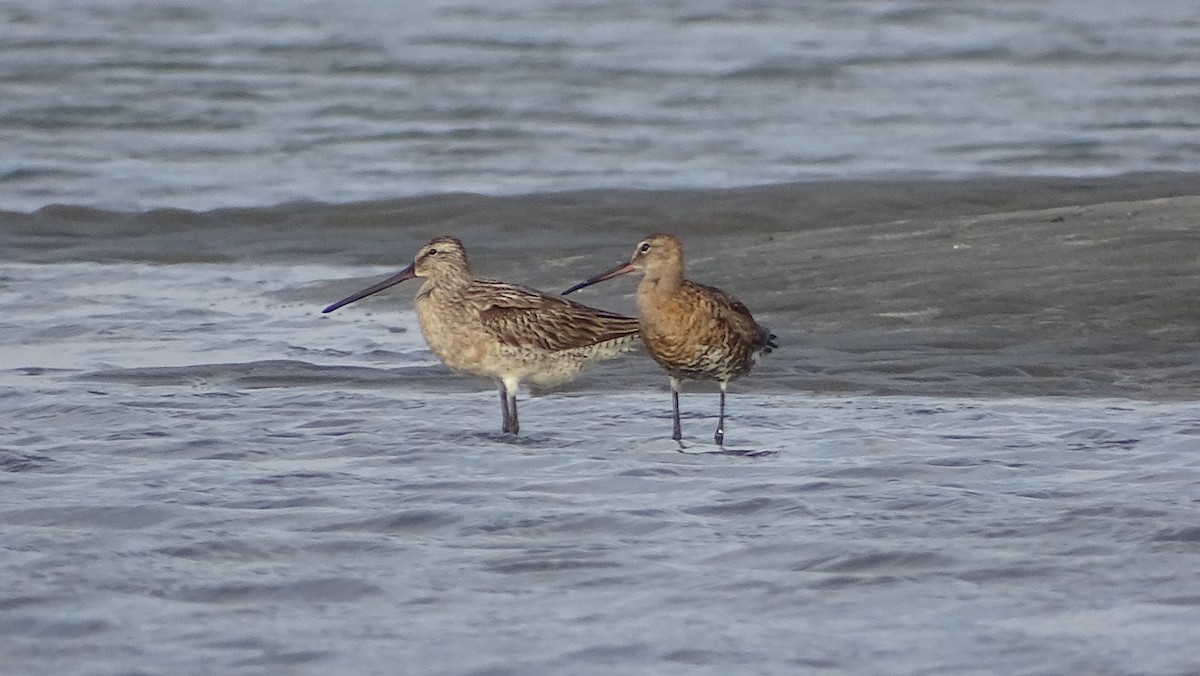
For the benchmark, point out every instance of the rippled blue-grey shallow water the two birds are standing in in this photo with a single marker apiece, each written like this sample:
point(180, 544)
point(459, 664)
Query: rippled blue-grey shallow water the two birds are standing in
point(202, 474)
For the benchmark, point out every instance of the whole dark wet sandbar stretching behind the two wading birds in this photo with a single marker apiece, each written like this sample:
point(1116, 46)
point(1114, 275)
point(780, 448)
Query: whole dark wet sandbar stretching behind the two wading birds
point(994, 288)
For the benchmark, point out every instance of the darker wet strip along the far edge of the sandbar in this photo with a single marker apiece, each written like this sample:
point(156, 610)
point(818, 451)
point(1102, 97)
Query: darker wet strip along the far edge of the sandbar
point(382, 232)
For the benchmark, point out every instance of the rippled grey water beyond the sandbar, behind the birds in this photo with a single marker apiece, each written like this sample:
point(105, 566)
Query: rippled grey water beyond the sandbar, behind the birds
point(131, 105)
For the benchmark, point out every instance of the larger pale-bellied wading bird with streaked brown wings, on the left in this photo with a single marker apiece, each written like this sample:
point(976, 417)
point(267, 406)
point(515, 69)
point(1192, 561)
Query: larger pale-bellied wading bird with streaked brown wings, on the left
point(505, 332)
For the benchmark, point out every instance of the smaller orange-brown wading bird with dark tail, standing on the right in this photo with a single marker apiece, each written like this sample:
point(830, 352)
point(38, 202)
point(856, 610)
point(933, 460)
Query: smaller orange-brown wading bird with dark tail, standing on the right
point(694, 332)
